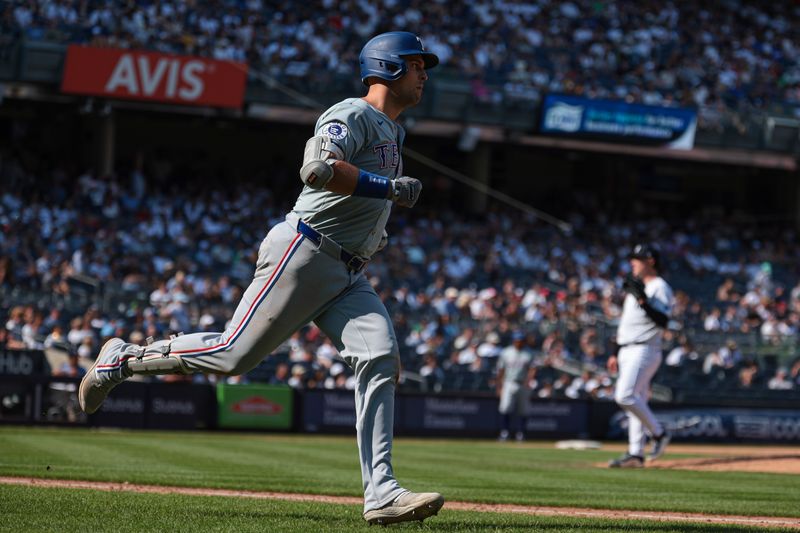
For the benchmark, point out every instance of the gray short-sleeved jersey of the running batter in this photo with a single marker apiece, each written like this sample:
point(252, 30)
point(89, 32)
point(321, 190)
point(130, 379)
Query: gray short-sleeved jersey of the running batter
point(372, 142)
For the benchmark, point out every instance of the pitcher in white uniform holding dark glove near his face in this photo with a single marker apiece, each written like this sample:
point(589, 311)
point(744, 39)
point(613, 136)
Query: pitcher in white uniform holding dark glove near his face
point(645, 313)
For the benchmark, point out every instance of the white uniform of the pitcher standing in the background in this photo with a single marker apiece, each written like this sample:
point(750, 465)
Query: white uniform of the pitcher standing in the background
point(638, 360)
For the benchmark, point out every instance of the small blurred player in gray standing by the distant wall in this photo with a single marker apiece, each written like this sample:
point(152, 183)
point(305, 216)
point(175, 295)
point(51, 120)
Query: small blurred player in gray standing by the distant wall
point(514, 371)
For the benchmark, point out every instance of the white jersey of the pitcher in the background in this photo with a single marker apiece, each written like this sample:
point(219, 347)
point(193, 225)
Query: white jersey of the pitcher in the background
point(635, 327)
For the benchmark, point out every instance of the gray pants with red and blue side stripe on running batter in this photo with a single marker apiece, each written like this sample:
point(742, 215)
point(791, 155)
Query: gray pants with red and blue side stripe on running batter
point(295, 282)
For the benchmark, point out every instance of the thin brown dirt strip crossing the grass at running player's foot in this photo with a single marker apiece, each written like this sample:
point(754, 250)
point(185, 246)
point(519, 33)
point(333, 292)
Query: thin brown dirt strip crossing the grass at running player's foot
point(753, 521)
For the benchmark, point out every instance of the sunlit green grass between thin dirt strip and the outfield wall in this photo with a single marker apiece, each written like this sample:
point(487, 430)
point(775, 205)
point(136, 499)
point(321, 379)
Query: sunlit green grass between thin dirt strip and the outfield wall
point(530, 474)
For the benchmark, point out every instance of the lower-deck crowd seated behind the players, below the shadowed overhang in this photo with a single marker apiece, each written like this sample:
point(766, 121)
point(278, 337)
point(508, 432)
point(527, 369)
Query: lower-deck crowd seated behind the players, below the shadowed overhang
point(159, 259)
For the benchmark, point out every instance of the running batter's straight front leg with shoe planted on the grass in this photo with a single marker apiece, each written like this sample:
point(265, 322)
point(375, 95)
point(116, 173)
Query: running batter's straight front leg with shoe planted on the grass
point(359, 326)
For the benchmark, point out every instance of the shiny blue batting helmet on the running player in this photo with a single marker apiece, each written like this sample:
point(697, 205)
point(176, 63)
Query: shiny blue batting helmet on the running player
point(382, 56)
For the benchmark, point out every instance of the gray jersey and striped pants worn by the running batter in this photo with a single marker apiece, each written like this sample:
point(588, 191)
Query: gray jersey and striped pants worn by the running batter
point(301, 277)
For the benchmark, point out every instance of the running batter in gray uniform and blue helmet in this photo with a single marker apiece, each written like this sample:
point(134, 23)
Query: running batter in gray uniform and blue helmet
point(310, 268)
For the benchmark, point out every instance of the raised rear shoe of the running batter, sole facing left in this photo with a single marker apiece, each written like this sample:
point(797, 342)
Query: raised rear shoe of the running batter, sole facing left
point(98, 382)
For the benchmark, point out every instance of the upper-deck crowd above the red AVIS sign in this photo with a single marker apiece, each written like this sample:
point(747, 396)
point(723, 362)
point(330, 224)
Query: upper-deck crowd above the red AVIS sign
point(737, 55)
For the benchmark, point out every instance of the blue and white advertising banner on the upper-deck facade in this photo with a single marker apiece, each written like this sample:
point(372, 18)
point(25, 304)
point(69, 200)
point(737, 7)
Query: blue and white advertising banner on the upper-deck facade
point(574, 116)
